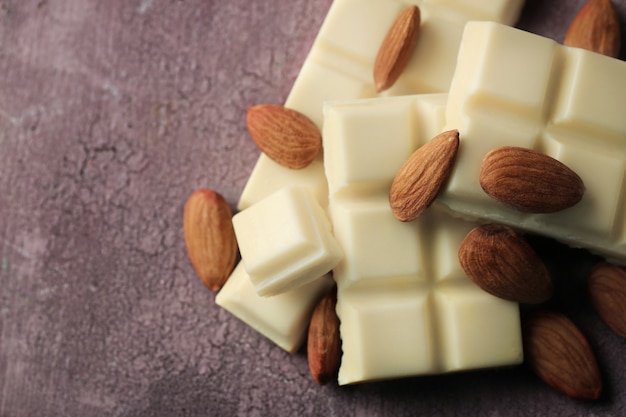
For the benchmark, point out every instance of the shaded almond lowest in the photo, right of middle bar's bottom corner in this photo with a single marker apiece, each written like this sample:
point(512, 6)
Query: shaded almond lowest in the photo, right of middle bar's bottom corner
point(557, 351)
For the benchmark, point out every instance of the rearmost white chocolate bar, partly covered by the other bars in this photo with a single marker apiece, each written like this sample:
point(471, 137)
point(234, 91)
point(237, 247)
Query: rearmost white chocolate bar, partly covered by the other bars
point(340, 66)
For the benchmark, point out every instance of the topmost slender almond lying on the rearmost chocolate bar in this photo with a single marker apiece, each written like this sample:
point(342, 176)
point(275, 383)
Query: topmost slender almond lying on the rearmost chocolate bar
point(396, 49)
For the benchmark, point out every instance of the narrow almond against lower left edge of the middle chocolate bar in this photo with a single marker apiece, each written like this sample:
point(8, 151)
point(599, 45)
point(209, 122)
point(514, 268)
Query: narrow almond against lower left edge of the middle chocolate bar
point(324, 342)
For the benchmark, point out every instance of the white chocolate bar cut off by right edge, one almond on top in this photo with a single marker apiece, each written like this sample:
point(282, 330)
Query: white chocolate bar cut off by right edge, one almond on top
point(519, 89)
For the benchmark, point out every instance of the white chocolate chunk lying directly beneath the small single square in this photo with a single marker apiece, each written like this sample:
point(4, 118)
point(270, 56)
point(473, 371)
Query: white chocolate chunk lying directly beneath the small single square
point(284, 319)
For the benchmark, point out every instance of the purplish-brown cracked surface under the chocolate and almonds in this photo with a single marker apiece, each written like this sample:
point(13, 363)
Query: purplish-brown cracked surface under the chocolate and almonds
point(111, 114)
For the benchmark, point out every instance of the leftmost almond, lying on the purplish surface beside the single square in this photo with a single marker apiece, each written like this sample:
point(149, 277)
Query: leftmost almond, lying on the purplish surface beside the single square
point(210, 237)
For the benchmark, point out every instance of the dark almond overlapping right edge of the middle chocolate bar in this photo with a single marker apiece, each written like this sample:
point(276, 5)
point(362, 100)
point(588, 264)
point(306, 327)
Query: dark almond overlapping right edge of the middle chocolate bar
point(502, 263)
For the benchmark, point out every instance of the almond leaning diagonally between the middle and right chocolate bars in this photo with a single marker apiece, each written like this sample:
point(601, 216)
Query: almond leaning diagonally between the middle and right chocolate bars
point(421, 177)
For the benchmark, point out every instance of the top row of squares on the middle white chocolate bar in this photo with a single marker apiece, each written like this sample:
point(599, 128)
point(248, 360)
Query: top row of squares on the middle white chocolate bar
point(361, 160)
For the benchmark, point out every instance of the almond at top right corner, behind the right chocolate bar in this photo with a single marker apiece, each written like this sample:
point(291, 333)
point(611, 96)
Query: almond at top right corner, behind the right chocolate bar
point(596, 28)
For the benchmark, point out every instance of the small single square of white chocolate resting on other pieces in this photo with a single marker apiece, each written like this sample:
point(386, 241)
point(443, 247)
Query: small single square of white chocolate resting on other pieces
point(285, 241)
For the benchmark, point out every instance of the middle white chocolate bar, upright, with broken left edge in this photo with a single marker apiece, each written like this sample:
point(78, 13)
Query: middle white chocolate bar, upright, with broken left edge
point(405, 305)
